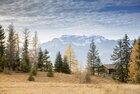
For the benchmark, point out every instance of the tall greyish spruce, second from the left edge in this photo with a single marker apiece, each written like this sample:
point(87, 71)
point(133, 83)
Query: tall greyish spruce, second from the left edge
point(11, 44)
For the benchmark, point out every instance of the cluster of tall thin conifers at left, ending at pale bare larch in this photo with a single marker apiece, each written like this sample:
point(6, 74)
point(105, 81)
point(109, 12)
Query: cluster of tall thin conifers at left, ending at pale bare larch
point(11, 56)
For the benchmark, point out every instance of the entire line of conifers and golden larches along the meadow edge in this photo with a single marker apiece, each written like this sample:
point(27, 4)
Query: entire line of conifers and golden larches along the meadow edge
point(14, 57)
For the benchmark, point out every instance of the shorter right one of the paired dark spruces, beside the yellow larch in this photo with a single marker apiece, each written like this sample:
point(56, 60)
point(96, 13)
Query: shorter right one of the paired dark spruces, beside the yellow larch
point(65, 66)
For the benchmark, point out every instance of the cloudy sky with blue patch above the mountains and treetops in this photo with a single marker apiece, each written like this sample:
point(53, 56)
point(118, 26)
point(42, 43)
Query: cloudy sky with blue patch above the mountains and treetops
point(53, 18)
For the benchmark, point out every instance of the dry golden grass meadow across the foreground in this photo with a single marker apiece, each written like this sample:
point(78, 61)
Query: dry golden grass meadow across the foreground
point(62, 84)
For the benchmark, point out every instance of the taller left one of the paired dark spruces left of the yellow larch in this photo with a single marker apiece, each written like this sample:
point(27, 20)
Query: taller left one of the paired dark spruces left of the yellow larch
point(58, 63)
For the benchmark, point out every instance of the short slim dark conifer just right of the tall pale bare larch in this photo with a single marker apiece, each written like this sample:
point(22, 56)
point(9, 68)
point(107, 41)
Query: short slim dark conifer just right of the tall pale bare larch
point(40, 59)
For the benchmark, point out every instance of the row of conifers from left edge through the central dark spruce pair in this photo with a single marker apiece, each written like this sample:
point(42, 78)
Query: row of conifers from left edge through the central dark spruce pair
point(27, 58)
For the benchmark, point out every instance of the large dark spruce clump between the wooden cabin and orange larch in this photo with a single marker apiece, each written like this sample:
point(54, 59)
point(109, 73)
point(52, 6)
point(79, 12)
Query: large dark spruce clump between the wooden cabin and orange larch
point(121, 58)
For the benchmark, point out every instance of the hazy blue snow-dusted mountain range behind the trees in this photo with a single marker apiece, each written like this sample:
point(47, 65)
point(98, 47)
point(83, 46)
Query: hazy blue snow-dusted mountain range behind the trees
point(80, 46)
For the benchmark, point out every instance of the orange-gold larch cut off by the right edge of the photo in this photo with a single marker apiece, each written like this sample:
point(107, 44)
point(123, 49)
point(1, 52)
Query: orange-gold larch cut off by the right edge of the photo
point(134, 67)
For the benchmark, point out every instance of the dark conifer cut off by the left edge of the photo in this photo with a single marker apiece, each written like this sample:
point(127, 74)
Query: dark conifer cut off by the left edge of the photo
point(2, 49)
